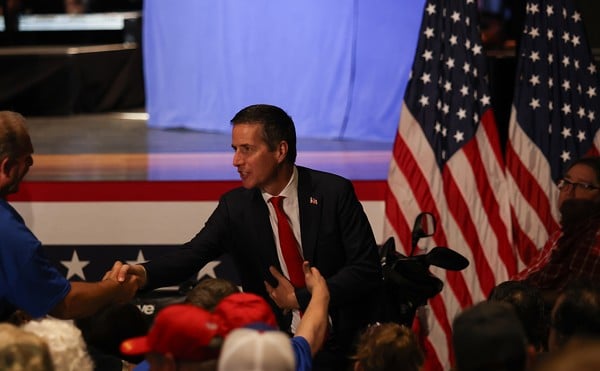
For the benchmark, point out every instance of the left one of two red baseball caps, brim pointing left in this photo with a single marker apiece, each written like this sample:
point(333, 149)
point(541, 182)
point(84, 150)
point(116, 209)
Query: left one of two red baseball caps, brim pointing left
point(182, 330)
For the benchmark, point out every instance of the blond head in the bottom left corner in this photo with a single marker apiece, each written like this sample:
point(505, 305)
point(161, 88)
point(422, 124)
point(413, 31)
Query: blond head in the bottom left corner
point(21, 350)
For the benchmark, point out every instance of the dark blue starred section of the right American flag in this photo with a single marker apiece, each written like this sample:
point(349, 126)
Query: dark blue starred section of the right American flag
point(562, 60)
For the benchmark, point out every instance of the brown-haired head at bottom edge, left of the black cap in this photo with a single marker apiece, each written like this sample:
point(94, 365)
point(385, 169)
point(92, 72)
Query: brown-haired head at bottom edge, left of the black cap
point(388, 346)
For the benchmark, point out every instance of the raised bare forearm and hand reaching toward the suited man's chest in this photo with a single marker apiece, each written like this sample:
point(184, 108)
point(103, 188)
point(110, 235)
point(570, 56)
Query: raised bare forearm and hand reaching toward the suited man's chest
point(314, 322)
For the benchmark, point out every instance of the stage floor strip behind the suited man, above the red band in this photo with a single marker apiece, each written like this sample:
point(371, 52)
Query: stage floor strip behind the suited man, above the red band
point(119, 146)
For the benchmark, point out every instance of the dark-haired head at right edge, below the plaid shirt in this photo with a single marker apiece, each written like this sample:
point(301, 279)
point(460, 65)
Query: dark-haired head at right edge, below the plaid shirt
point(575, 316)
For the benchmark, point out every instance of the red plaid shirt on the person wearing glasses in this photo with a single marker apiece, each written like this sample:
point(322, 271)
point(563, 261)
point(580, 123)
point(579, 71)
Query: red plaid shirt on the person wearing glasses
point(560, 263)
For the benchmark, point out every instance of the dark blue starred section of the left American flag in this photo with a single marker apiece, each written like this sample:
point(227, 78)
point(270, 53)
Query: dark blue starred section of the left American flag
point(450, 98)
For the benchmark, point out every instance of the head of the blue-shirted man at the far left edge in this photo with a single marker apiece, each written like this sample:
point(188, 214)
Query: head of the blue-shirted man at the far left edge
point(15, 152)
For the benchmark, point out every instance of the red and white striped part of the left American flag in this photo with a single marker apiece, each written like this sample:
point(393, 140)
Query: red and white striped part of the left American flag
point(409, 183)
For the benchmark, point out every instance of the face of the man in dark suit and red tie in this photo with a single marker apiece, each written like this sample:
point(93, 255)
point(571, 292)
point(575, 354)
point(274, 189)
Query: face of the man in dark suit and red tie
point(256, 163)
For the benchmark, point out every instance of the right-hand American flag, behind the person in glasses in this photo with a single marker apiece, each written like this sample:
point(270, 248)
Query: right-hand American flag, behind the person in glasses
point(554, 118)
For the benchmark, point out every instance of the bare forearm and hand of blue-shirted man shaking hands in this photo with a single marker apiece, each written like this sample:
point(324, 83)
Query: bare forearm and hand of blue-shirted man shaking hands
point(86, 298)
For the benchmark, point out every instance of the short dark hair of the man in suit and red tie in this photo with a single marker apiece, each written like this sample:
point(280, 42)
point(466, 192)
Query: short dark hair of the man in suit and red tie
point(277, 126)
